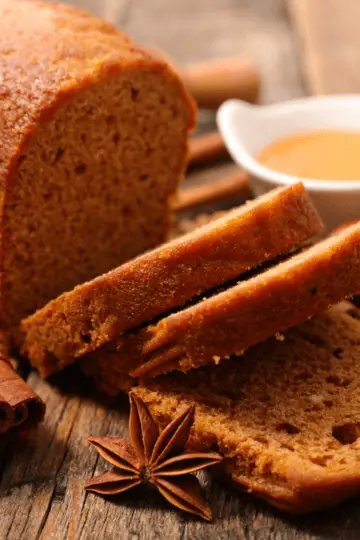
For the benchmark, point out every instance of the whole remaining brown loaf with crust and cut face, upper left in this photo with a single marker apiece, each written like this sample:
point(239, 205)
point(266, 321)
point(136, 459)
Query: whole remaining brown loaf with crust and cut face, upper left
point(94, 136)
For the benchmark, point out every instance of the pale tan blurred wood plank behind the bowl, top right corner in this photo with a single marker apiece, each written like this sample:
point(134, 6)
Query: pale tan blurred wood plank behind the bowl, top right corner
point(329, 41)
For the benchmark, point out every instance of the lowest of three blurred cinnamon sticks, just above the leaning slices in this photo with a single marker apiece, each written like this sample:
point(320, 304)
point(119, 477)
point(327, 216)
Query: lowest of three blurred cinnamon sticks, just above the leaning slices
point(219, 191)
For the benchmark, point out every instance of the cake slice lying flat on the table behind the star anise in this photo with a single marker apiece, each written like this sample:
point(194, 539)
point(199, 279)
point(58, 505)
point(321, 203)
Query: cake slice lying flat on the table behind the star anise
point(287, 418)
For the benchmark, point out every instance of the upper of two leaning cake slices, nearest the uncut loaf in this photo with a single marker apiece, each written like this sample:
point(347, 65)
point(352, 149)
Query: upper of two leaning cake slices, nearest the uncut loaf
point(158, 281)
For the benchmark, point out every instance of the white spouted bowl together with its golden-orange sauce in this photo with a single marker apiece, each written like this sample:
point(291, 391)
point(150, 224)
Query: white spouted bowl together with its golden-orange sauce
point(315, 140)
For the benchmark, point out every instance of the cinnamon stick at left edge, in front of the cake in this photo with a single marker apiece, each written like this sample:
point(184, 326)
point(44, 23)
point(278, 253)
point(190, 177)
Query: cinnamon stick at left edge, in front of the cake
point(19, 405)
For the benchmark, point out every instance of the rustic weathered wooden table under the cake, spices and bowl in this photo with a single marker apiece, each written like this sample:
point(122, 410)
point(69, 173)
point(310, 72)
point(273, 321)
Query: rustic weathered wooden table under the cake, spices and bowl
point(300, 46)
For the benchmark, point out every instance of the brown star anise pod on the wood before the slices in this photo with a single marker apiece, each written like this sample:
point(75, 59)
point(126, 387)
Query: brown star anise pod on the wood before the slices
point(156, 458)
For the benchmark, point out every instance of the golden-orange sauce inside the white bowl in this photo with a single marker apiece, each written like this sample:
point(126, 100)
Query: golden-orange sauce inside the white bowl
point(322, 155)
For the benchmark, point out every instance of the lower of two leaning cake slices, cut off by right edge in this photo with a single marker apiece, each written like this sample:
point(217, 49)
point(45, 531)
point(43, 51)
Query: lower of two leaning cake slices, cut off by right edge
point(237, 318)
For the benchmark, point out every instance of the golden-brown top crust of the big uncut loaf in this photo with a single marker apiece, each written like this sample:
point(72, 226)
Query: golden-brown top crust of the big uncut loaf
point(50, 53)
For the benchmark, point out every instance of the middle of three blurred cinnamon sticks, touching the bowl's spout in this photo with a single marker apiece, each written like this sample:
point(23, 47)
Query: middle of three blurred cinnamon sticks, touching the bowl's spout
point(206, 149)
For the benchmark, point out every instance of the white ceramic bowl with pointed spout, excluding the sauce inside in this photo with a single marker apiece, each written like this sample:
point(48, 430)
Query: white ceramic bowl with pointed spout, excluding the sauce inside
point(247, 129)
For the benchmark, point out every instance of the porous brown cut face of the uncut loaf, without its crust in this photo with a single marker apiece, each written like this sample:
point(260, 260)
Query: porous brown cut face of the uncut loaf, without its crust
point(91, 189)
